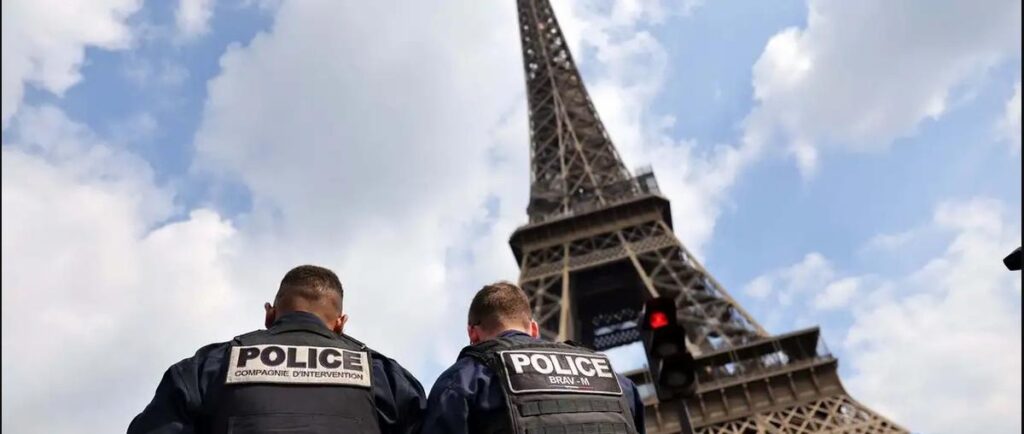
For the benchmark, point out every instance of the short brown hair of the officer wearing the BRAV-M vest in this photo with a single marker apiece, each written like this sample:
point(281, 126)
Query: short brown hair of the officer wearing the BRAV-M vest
point(500, 305)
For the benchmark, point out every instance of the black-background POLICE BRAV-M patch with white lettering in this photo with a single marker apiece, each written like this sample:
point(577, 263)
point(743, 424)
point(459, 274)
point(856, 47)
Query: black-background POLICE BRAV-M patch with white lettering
point(553, 372)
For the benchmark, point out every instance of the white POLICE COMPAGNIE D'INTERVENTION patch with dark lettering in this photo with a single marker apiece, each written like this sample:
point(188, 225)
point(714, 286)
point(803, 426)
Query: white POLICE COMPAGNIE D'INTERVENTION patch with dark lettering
point(298, 365)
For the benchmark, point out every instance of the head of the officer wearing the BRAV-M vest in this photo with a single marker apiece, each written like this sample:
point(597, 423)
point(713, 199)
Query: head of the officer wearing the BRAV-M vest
point(500, 308)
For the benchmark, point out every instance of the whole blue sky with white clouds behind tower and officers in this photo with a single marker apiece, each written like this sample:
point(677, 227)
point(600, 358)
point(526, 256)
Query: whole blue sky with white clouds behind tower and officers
point(851, 165)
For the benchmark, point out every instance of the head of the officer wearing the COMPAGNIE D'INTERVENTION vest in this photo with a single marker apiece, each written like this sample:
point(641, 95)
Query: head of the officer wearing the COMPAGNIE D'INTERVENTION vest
point(310, 289)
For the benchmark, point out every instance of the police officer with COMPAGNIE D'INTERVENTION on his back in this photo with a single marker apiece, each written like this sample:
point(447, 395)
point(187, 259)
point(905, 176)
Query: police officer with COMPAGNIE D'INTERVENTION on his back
point(300, 375)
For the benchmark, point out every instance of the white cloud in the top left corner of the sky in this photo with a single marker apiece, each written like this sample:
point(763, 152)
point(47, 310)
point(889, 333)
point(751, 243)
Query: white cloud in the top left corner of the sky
point(45, 42)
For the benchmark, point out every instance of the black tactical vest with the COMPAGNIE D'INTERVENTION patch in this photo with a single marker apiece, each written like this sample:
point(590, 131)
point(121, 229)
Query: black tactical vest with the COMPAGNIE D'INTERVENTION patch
point(296, 379)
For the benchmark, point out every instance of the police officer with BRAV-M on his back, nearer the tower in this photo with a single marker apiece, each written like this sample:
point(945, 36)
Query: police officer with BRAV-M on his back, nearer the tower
point(508, 381)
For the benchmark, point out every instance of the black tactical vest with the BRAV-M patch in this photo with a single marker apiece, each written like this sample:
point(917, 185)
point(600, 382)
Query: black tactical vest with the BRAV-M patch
point(552, 388)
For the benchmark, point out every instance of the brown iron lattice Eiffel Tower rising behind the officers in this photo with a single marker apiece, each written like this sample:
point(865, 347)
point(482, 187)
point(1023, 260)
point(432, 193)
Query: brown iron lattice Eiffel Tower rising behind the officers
point(601, 242)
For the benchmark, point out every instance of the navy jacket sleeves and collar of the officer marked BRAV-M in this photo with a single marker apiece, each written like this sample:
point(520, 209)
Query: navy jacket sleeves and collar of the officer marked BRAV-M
point(468, 393)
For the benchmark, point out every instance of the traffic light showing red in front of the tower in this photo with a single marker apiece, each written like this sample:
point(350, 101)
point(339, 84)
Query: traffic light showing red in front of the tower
point(665, 342)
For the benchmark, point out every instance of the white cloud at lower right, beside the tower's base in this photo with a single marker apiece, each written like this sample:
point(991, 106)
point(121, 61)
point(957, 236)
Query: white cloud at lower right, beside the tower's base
point(937, 350)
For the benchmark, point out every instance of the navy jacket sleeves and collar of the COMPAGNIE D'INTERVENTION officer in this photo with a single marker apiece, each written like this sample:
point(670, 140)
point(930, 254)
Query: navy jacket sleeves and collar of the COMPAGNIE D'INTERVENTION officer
point(176, 409)
